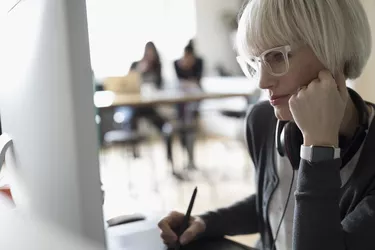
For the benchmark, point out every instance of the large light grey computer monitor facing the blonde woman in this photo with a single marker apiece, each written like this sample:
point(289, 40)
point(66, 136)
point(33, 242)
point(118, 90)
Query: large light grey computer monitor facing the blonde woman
point(46, 106)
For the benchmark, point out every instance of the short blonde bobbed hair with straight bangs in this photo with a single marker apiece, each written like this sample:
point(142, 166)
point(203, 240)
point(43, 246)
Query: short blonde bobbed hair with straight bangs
point(337, 31)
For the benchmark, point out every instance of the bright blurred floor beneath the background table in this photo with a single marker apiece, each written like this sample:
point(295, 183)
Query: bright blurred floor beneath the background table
point(145, 185)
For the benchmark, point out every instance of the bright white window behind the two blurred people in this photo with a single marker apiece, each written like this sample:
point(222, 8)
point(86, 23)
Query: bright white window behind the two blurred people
point(119, 29)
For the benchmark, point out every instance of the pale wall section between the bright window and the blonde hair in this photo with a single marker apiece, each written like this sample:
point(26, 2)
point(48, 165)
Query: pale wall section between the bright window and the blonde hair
point(212, 39)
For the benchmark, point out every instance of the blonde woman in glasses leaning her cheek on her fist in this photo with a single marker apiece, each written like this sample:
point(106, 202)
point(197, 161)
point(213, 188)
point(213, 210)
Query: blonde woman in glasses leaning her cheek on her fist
point(312, 143)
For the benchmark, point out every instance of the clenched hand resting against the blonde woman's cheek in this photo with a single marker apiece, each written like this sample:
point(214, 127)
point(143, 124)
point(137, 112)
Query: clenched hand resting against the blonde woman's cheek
point(318, 109)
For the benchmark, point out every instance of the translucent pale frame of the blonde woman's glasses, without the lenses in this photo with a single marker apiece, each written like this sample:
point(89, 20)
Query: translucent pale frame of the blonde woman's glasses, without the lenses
point(261, 60)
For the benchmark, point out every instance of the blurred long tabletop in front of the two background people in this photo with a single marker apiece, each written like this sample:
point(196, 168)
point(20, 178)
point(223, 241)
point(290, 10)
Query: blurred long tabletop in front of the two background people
point(106, 99)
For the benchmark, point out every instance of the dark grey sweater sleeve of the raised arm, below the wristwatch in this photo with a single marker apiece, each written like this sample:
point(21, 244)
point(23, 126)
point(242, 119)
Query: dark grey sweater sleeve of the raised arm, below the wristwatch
point(317, 220)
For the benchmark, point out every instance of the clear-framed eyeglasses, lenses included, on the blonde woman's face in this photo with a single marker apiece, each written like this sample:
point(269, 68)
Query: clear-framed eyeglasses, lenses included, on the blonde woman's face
point(276, 61)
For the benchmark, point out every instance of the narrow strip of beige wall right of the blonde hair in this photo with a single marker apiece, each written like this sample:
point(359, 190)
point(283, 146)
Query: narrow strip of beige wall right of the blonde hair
point(365, 85)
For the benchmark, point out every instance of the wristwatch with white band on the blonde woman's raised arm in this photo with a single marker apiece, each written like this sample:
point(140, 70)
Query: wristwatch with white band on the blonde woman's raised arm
point(319, 153)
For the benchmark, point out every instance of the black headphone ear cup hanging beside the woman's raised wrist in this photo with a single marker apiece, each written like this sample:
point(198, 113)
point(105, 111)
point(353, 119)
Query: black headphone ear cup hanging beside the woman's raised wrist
point(293, 140)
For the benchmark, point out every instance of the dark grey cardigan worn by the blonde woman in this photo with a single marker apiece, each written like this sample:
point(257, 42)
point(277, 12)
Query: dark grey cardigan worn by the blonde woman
point(326, 216)
